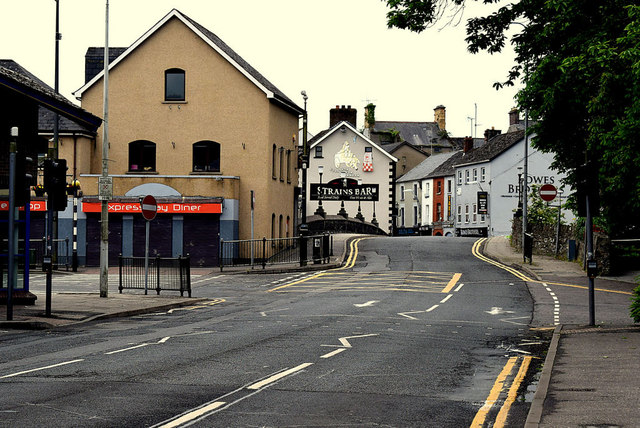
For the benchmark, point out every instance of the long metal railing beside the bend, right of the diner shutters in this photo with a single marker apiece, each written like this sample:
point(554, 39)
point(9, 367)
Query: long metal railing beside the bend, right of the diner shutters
point(263, 252)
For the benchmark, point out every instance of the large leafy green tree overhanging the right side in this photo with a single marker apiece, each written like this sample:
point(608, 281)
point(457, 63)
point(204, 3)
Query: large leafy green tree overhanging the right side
point(579, 61)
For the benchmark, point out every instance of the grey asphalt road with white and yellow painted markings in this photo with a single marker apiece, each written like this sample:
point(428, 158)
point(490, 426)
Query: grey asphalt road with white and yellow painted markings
point(410, 332)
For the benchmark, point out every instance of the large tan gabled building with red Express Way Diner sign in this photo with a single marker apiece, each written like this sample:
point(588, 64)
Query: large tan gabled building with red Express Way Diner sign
point(191, 123)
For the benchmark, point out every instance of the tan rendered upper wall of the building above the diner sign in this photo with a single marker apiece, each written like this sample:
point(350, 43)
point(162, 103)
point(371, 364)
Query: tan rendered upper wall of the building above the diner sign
point(221, 105)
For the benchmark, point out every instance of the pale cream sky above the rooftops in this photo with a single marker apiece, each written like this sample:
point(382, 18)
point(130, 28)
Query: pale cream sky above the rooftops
point(339, 51)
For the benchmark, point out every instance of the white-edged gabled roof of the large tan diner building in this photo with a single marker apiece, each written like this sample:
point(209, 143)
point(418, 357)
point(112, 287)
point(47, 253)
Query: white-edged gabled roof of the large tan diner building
point(270, 90)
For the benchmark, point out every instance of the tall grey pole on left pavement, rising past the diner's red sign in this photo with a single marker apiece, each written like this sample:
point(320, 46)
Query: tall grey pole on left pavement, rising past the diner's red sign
point(104, 217)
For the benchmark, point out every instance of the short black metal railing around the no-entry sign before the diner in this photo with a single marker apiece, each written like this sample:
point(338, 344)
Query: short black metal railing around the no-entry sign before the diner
point(173, 274)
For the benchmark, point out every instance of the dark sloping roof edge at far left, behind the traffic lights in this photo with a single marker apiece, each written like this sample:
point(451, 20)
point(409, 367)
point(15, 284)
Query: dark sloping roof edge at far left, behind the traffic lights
point(16, 78)
